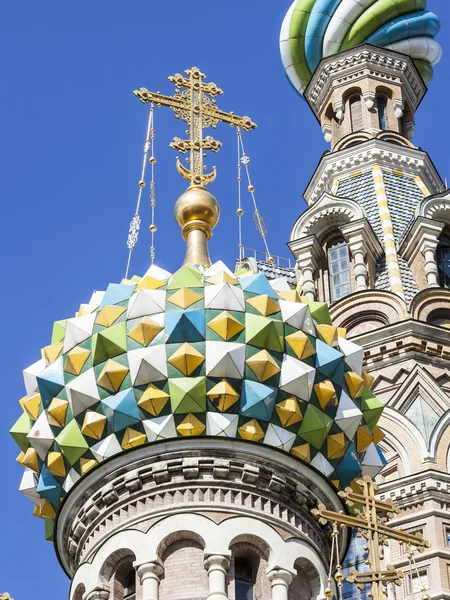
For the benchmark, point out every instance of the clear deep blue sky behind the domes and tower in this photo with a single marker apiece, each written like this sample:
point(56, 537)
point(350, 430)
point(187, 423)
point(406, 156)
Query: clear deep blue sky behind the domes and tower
point(71, 146)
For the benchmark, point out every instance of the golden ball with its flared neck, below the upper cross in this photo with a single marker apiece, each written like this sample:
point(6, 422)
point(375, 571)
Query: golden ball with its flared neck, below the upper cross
point(197, 213)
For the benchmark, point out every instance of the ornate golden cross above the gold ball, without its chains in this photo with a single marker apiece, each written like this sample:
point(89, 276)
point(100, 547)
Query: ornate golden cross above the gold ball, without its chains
point(194, 102)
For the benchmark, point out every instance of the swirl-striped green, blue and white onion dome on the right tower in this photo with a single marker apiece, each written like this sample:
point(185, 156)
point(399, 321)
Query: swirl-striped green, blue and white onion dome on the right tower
point(315, 29)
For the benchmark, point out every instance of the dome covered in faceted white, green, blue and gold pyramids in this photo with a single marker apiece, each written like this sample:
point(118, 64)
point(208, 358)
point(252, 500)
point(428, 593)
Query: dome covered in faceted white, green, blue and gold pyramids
point(202, 352)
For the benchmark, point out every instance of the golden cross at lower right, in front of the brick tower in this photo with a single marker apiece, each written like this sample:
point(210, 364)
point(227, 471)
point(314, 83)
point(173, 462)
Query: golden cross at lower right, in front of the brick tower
point(371, 523)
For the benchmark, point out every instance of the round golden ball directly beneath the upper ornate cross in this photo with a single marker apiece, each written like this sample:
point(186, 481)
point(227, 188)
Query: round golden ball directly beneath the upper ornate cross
point(199, 206)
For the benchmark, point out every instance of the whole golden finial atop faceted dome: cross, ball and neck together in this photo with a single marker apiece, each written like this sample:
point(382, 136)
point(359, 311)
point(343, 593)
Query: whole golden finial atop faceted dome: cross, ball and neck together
point(196, 211)
